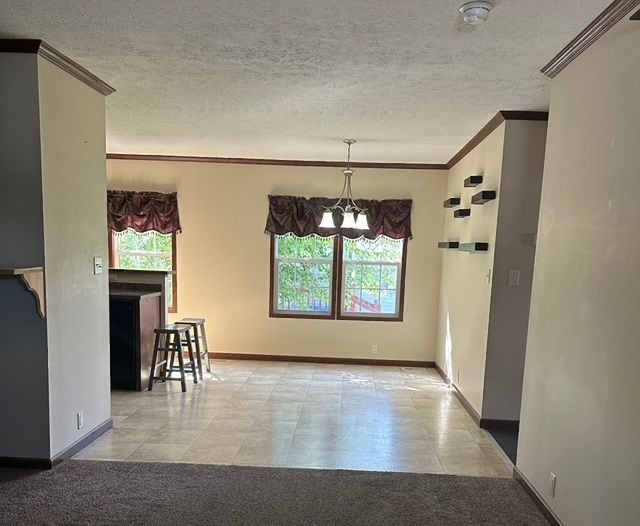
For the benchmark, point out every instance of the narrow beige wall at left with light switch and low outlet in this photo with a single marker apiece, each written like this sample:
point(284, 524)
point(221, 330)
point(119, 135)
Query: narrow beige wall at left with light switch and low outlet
point(74, 186)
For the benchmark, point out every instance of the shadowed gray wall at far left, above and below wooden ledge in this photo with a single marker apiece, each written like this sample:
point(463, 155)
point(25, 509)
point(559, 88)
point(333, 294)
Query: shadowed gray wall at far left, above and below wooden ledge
point(24, 408)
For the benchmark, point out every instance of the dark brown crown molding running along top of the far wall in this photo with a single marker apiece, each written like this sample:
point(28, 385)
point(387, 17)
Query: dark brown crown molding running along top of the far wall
point(273, 162)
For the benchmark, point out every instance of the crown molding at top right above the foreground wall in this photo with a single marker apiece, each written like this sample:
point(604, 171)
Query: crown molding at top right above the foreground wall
point(614, 12)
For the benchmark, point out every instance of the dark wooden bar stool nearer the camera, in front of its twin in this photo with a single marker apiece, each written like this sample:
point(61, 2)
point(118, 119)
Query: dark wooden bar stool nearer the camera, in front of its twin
point(170, 340)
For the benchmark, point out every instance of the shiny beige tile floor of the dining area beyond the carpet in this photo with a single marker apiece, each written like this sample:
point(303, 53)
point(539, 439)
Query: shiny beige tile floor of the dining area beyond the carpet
point(302, 415)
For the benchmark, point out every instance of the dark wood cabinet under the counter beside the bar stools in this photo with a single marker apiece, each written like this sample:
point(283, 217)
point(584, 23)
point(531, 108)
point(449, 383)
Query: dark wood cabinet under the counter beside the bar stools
point(133, 317)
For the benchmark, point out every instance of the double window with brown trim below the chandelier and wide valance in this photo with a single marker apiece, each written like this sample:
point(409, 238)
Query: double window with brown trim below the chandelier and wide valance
point(309, 275)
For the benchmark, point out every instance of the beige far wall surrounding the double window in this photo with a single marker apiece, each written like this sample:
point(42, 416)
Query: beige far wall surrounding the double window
point(223, 255)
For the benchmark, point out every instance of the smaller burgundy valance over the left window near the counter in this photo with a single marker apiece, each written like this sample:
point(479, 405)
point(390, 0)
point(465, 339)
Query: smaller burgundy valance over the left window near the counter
point(143, 211)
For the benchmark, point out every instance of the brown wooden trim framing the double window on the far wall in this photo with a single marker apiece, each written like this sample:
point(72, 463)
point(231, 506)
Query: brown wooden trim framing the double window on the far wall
point(336, 290)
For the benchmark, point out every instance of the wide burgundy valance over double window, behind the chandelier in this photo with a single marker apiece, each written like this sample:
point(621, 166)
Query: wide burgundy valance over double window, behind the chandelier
point(301, 216)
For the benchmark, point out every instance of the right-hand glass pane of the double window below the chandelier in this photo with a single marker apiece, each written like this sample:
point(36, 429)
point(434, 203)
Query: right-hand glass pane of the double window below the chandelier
point(371, 277)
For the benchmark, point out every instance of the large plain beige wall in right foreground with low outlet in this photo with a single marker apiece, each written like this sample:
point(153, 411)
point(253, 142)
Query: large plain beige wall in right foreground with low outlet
point(580, 416)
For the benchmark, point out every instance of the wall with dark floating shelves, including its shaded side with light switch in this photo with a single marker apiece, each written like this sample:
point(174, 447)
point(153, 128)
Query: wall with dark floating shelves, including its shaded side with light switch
point(483, 321)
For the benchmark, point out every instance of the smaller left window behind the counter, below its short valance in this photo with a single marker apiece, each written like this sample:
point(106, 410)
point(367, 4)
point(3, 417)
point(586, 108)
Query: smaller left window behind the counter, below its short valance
point(147, 251)
